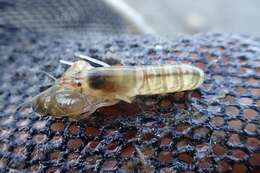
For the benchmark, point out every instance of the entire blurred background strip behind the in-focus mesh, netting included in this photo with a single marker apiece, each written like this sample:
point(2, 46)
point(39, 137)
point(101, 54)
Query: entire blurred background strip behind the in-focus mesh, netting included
point(164, 18)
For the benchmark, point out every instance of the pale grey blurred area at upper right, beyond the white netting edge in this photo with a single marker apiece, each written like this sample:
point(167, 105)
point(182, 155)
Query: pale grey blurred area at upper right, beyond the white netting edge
point(168, 17)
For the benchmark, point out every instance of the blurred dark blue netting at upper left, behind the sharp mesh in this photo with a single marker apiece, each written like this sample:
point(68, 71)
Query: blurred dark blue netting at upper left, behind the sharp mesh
point(85, 16)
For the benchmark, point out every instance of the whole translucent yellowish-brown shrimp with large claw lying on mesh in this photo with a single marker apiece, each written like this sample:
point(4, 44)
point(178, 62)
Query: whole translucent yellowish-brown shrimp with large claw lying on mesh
point(83, 88)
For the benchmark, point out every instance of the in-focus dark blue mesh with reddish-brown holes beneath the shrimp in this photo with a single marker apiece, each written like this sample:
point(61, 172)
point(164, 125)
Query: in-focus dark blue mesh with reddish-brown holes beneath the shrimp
point(216, 130)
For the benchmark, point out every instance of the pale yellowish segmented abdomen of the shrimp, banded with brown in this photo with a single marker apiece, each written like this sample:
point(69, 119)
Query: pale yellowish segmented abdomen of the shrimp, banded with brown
point(169, 78)
